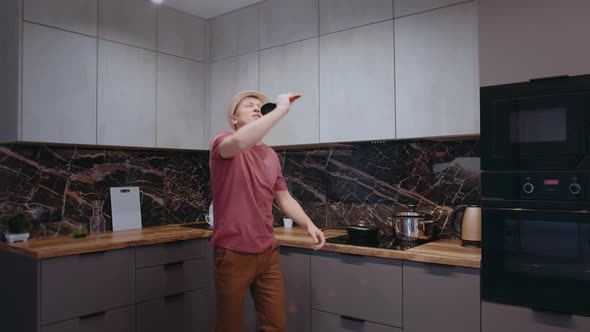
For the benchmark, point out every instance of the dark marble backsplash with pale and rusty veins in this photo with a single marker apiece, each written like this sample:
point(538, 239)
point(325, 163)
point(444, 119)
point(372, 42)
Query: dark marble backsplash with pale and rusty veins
point(339, 184)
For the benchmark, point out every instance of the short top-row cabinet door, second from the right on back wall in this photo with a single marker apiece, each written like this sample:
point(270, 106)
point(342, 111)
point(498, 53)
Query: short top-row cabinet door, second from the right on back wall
point(336, 15)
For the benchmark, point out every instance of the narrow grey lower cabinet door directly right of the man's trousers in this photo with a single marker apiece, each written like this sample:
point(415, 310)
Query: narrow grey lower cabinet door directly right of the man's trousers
point(295, 266)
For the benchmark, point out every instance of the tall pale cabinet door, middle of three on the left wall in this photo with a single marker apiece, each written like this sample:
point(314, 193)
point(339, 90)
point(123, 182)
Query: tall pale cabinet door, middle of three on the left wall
point(126, 95)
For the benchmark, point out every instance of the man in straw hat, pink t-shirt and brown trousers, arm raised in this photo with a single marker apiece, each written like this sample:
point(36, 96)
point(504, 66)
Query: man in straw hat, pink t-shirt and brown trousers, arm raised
point(245, 179)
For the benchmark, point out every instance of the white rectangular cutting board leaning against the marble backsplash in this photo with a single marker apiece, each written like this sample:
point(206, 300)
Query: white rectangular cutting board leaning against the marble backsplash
point(125, 208)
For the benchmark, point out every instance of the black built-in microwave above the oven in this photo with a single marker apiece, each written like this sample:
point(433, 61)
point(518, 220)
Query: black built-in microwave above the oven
point(537, 125)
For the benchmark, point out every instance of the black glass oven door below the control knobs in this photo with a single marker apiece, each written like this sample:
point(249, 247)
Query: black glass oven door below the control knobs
point(537, 254)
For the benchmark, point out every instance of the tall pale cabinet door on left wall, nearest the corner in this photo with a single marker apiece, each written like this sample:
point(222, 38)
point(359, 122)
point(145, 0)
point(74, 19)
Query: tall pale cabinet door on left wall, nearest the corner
point(181, 103)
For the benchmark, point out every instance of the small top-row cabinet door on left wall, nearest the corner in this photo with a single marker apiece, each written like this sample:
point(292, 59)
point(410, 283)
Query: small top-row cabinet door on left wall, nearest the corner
point(181, 34)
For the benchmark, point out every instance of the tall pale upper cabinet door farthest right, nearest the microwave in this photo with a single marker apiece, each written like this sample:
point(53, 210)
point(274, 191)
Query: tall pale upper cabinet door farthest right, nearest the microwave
point(436, 61)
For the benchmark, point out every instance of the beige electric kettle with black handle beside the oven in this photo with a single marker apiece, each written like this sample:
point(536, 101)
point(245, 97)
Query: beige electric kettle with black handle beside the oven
point(469, 228)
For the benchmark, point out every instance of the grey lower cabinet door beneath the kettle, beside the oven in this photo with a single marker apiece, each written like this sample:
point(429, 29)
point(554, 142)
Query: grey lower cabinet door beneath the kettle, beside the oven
point(440, 298)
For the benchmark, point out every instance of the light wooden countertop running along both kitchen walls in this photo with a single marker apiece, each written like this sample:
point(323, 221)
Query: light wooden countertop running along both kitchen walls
point(447, 252)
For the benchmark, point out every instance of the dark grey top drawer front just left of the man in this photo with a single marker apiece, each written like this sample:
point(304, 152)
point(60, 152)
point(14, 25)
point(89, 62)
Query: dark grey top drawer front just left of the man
point(171, 252)
